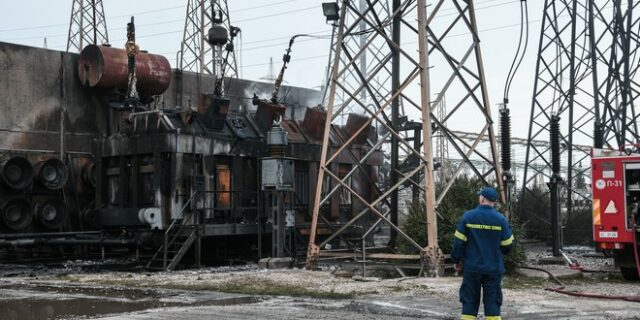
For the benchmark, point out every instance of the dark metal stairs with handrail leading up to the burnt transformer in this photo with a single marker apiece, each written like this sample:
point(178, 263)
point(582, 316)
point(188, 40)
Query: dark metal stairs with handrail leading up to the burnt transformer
point(178, 238)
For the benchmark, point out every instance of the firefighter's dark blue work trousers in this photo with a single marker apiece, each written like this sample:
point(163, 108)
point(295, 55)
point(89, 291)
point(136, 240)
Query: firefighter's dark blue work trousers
point(491, 285)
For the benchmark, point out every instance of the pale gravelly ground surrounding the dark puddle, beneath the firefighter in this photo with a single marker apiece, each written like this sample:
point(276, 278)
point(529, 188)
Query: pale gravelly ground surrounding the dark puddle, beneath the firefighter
point(404, 298)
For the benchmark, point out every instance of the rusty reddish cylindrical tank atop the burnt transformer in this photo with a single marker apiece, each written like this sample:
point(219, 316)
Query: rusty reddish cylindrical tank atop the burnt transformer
point(106, 67)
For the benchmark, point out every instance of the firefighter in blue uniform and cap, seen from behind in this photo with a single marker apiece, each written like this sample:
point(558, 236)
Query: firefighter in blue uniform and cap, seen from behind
point(481, 238)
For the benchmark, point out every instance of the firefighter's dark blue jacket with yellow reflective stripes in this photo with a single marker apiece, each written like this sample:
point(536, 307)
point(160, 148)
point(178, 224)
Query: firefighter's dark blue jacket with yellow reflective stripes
point(481, 238)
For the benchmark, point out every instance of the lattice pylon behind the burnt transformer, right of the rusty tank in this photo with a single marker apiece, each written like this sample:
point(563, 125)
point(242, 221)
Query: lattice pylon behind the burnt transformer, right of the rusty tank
point(196, 54)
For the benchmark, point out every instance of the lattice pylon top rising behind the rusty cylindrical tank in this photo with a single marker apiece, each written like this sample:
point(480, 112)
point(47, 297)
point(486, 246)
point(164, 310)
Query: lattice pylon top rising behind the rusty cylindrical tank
point(87, 25)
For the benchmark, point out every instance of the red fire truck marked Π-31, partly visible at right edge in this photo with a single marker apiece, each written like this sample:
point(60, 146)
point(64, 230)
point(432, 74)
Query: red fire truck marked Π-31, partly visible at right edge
point(616, 197)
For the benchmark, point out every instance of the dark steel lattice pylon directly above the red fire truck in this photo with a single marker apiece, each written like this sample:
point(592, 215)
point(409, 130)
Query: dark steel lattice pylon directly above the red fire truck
point(616, 57)
